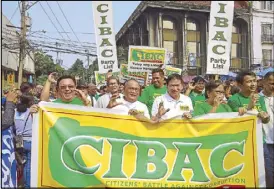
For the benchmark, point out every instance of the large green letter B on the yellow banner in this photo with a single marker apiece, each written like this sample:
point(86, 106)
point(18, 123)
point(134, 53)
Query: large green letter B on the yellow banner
point(143, 160)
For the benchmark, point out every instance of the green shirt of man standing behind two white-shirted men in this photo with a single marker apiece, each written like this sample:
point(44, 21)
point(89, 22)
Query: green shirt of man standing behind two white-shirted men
point(149, 94)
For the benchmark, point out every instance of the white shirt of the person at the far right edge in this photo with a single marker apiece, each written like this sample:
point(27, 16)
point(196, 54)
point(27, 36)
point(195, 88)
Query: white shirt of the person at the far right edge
point(268, 128)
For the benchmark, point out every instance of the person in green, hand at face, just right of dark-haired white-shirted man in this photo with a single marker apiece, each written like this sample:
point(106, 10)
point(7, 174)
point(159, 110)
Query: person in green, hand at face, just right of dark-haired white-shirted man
point(195, 90)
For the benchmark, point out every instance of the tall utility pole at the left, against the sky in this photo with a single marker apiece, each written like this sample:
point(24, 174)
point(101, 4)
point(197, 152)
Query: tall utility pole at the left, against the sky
point(22, 42)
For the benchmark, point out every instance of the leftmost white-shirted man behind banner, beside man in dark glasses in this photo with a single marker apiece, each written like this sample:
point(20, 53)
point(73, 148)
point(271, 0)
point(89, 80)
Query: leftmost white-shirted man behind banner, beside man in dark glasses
point(112, 87)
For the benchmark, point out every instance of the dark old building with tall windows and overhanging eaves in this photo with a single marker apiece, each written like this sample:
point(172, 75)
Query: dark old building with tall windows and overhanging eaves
point(182, 28)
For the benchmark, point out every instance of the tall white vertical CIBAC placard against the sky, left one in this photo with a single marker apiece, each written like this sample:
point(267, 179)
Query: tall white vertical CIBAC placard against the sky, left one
point(105, 36)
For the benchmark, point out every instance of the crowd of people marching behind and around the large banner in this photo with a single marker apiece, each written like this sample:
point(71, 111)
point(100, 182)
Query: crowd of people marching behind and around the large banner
point(165, 98)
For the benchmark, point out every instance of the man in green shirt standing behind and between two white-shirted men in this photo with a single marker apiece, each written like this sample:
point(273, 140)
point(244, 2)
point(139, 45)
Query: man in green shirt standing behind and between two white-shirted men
point(156, 89)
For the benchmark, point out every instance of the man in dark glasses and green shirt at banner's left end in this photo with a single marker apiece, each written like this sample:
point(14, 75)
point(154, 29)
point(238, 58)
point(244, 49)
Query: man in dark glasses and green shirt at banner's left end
point(66, 89)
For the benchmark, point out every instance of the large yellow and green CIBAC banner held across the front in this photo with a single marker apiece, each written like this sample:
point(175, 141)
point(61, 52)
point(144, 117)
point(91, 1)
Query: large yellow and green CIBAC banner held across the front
point(83, 148)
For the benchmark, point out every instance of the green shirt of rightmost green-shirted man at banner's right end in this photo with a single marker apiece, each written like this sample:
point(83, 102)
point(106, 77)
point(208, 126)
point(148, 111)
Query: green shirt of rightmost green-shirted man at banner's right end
point(238, 100)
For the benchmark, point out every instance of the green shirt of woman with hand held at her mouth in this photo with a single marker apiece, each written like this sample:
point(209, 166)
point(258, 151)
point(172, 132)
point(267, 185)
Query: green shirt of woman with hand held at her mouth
point(204, 108)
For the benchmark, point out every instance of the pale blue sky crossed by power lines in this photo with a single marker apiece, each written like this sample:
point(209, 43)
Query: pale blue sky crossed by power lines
point(78, 13)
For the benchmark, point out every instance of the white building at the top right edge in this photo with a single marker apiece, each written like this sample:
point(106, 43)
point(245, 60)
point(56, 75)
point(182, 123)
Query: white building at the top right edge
point(263, 33)
